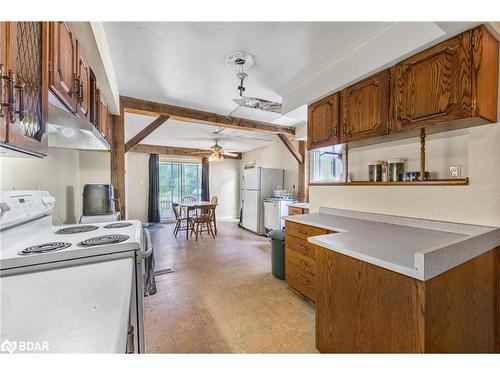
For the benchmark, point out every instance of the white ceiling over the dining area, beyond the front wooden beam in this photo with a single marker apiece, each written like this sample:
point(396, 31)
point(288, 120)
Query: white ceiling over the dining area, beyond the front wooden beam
point(181, 134)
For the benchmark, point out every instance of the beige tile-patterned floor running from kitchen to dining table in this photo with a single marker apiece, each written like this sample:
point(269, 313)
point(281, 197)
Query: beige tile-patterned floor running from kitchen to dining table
point(222, 298)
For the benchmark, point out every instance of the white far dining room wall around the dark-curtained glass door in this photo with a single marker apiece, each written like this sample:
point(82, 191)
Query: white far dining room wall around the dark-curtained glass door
point(224, 182)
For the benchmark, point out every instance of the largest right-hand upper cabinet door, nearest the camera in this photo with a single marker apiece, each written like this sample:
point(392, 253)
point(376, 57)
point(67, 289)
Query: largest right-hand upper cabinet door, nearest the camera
point(433, 86)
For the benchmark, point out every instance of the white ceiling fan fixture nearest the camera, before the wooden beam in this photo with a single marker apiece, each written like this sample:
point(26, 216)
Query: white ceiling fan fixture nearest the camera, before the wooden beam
point(241, 62)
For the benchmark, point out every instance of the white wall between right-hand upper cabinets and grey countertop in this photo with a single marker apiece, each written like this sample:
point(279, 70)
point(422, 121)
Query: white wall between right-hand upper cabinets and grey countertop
point(477, 149)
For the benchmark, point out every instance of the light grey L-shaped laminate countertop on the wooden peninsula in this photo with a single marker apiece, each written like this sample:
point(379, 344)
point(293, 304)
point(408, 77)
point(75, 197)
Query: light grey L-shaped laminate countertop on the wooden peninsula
point(414, 247)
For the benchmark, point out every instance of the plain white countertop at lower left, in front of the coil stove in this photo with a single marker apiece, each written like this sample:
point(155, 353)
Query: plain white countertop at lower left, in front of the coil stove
point(75, 309)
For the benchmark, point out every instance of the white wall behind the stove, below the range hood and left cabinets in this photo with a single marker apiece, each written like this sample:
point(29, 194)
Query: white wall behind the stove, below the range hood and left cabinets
point(63, 173)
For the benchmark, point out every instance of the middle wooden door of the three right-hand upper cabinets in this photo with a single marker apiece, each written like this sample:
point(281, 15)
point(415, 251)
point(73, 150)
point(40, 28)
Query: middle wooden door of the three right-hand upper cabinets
point(364, 108)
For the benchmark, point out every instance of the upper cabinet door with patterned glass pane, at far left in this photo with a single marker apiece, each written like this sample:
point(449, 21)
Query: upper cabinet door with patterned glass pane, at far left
point(26, 53)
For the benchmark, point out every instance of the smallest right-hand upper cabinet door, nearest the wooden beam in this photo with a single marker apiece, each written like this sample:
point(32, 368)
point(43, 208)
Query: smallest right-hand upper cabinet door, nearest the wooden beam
point(323, 122)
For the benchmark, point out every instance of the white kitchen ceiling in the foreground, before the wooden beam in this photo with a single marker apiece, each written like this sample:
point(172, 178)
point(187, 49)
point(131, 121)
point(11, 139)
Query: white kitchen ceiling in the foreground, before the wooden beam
point(182, 63)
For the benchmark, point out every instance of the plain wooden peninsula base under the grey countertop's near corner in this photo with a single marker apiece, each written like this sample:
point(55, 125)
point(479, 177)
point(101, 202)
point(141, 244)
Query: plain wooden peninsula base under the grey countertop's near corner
point(362, 308)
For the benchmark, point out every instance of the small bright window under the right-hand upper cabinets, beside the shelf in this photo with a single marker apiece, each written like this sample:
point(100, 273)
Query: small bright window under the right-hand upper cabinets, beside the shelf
point(326, 165)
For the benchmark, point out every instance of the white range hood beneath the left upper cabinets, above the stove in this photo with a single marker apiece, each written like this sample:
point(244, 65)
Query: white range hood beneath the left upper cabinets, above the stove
point(67, 130)
